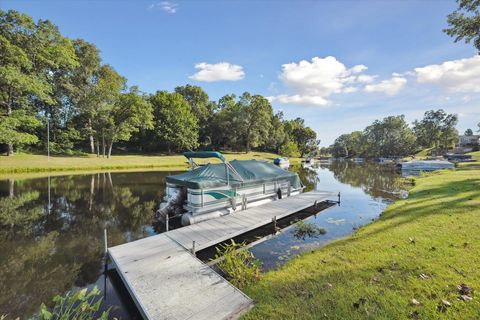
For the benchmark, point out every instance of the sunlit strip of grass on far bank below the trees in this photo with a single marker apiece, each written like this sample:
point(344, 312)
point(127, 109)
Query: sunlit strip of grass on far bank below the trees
point(28, 163)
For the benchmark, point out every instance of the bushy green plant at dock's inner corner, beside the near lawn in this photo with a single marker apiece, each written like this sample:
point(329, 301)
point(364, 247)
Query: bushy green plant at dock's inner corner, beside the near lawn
point(239, 265)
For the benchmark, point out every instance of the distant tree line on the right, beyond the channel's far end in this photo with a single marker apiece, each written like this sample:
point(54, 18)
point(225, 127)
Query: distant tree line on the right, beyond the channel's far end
point(393, 137)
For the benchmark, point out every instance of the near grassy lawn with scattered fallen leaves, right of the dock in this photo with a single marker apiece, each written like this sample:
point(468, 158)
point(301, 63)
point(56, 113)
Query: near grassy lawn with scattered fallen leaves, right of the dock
point(421, 248)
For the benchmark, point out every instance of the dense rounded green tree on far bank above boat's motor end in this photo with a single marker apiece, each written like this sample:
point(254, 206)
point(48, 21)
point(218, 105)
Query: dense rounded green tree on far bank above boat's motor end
point(174, 122)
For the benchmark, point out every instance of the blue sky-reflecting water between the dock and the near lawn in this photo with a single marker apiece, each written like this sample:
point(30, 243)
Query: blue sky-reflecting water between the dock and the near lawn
point(366, 191)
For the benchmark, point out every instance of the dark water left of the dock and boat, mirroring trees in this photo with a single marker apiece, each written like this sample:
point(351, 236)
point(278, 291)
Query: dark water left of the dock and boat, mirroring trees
point(51, 231)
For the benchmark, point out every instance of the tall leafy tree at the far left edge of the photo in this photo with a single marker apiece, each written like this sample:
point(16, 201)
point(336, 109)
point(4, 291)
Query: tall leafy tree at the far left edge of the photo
point(19, 79)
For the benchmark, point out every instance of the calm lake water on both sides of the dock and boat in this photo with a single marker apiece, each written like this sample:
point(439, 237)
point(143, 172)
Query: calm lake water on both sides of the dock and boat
point(51, 229)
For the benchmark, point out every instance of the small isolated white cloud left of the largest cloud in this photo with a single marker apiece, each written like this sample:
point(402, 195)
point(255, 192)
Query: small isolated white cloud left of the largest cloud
point(222, 71)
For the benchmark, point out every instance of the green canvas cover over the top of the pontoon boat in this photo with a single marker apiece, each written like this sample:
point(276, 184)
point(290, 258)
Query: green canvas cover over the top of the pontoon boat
point(252, 172)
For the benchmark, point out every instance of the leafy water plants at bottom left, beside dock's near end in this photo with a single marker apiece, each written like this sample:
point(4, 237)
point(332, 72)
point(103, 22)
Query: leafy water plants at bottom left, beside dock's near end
point(78, 305)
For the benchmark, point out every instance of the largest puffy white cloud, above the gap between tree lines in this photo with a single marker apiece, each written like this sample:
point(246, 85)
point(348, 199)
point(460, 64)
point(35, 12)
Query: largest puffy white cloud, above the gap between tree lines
point(312, 82)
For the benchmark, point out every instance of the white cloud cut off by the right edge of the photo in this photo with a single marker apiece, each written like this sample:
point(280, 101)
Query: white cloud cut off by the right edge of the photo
point(457, 75)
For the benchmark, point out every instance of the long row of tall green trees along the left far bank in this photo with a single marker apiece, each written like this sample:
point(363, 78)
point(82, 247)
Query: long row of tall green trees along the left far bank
point(47, 79)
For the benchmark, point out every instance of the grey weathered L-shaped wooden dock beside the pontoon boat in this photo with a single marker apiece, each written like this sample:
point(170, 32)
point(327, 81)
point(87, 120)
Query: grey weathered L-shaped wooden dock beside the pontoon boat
point(167, 281)
